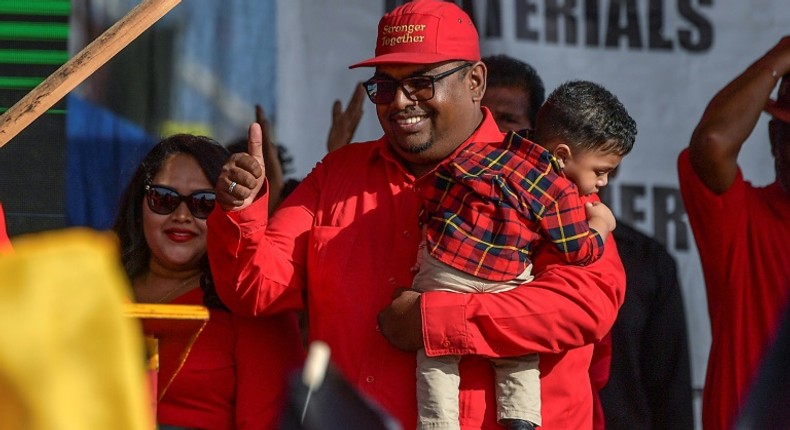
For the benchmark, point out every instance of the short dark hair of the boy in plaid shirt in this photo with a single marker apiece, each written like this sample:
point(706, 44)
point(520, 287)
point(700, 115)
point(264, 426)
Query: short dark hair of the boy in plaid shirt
point(586, 117)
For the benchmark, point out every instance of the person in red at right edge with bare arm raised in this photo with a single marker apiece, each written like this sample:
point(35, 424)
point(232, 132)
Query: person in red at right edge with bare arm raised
point(742, 231)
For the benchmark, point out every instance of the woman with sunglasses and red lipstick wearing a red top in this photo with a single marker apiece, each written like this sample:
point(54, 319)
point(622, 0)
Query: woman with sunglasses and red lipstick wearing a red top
point(232, 377)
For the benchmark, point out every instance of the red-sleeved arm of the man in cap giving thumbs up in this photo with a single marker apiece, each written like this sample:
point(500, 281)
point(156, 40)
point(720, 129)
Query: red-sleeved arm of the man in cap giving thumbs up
point(255, 261)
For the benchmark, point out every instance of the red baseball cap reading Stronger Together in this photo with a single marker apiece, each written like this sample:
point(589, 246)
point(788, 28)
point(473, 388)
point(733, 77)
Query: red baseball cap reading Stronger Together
point(424, 32)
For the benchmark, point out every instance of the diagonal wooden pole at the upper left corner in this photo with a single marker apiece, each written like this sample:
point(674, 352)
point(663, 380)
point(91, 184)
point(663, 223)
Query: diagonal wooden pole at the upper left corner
point(82, 65)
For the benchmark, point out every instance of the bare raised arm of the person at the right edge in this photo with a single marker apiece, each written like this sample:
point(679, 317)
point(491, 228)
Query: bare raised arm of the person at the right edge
point(731, 116)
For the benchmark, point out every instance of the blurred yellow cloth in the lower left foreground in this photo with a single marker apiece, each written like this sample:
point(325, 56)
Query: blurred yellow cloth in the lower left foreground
point(69, 359)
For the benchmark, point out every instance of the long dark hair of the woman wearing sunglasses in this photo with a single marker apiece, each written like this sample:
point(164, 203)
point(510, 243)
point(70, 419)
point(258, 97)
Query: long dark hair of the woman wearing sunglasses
point(135, 252)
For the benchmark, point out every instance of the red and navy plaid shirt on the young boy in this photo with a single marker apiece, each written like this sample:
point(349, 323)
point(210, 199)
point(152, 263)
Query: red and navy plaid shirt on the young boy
point(491, 205)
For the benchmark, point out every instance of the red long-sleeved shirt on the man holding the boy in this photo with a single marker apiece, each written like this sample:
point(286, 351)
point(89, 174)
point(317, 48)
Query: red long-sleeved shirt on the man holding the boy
point(348, 237)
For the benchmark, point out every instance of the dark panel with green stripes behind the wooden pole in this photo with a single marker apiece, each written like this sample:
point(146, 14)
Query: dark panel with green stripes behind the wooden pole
point(33, 44)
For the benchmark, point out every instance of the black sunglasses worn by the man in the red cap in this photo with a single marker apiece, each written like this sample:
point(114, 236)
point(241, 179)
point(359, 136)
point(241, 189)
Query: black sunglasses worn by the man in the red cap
point(381, 91)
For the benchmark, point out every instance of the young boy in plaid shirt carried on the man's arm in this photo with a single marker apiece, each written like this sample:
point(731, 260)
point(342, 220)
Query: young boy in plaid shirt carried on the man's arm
point(488, 212)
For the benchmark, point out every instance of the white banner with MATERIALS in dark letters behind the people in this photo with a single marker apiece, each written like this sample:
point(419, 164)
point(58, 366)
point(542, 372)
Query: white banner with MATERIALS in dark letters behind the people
point(664, 59)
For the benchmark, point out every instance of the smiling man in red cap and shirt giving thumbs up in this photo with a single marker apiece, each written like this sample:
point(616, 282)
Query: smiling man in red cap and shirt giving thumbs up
point(343, 244)
